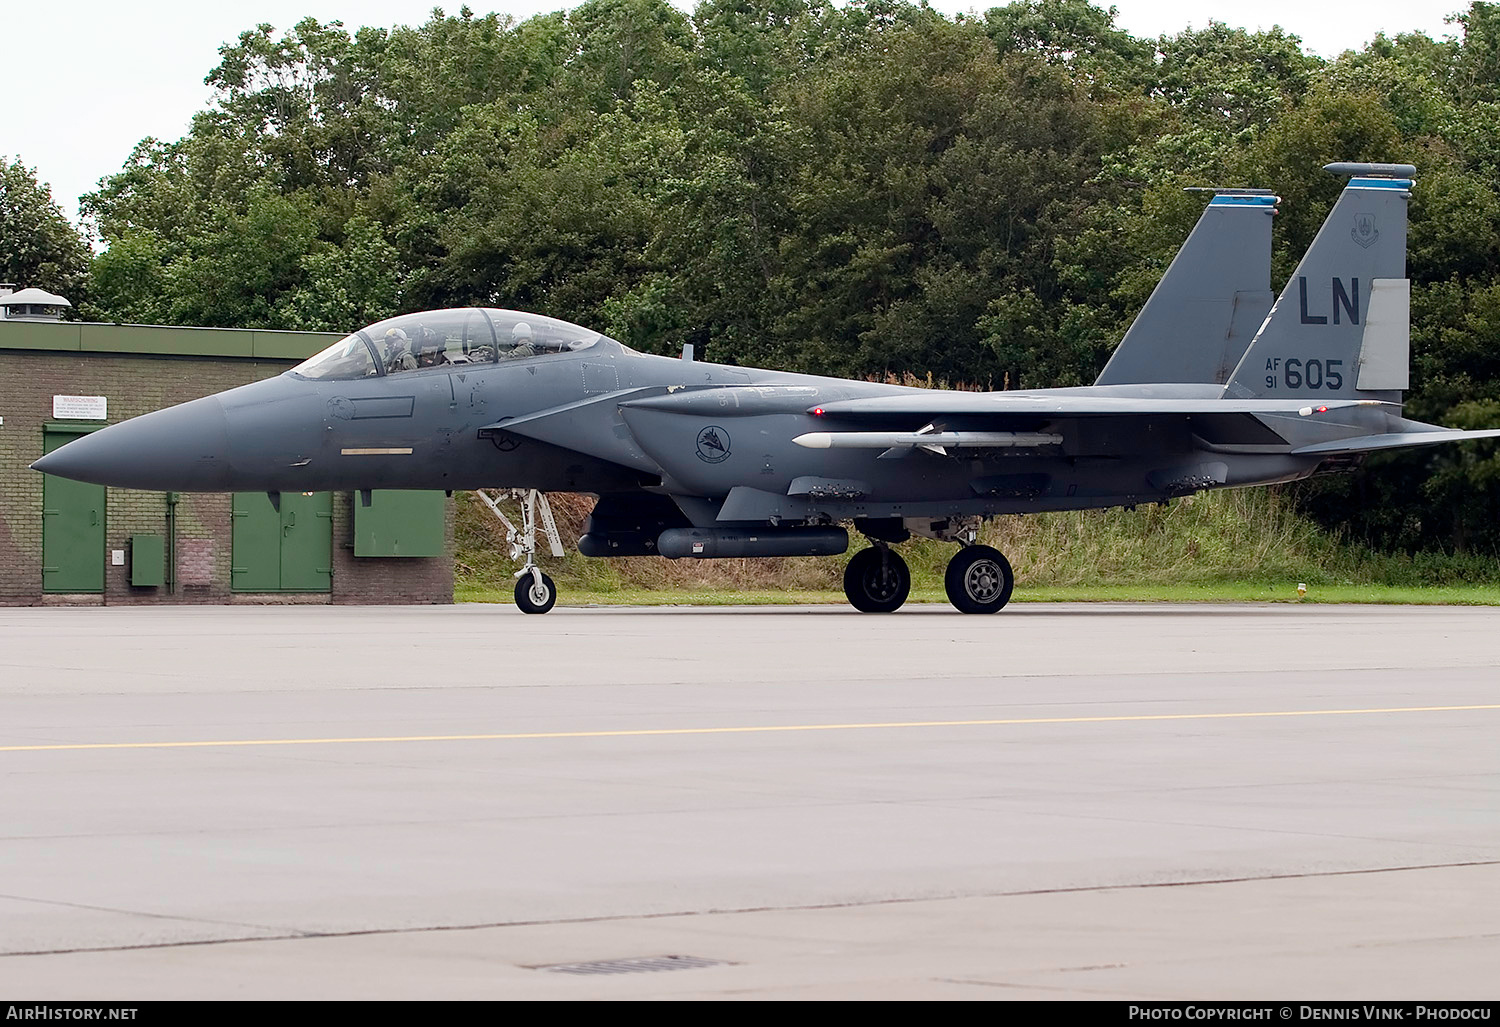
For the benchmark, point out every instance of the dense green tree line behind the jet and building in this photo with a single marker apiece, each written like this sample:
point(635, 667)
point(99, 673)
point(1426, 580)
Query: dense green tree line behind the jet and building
point(866, 190)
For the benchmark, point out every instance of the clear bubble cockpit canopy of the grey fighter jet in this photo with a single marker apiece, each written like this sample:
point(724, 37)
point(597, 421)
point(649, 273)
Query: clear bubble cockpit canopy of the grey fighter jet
point(446, 340)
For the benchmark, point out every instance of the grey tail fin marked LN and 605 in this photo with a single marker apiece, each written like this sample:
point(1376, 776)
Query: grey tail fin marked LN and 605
point(1342, 328)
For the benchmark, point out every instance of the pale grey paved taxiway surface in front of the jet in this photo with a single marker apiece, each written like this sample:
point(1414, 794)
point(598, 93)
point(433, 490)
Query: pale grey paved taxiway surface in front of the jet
point(467, 803)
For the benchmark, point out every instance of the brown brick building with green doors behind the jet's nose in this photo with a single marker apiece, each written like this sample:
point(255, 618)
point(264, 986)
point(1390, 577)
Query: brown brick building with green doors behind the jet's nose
point(71, 543)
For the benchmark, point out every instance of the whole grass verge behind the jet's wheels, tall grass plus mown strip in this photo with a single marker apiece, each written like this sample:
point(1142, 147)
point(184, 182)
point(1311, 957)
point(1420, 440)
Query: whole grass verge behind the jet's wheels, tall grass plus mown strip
point(1240, 546)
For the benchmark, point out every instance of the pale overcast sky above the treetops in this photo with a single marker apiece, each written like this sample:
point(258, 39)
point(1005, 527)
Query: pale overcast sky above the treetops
point(86, 80)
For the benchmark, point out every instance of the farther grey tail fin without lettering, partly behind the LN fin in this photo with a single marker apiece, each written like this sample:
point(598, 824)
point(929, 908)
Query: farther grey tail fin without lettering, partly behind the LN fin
point(1207, 308)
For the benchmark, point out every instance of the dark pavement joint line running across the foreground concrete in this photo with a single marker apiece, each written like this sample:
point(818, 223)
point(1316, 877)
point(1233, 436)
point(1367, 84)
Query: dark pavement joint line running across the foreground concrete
point(800, 908)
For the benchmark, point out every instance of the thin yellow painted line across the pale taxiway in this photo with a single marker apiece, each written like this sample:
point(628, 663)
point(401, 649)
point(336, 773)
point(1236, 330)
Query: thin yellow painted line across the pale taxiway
point(764, 729)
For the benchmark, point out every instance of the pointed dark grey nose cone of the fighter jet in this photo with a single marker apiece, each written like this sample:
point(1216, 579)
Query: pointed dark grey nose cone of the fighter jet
point(182, 449)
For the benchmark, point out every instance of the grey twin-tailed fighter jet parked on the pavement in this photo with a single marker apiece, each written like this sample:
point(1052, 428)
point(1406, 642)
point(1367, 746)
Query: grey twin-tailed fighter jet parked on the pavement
point(1213, 388)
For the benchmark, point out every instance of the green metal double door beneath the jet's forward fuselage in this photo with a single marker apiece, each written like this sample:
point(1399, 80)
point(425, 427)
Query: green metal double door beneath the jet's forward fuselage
point(289, 551)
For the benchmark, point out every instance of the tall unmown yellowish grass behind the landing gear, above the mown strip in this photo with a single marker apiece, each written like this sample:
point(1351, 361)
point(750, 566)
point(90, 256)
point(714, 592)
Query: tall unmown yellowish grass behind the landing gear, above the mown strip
point(1235, 536)
